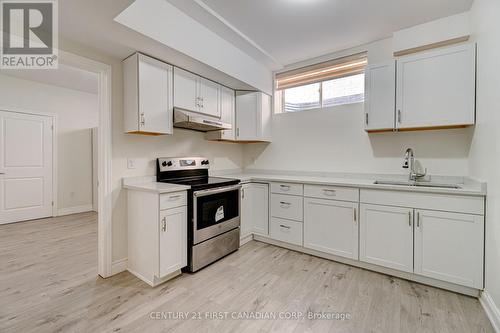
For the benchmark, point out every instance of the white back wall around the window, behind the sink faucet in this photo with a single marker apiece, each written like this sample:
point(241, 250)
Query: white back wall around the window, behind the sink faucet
point(334, 140)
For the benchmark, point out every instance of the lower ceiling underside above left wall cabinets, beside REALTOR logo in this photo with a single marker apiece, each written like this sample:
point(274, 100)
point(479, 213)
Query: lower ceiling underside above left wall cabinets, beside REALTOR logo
point(91, 23)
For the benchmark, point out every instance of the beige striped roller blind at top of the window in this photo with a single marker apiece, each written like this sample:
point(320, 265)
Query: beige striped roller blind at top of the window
point(324, 71)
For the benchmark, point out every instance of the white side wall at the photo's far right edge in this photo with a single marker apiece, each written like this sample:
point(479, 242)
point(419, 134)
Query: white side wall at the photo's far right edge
point(485, 151)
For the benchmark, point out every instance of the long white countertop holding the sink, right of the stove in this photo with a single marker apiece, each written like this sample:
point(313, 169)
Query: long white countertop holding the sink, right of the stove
point(468, 186)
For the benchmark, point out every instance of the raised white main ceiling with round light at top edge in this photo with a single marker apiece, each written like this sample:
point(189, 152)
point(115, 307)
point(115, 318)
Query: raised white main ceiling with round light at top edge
point(294, 30)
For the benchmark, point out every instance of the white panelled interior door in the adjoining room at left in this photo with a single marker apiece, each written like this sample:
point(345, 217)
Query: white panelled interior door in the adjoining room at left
point(25, 166)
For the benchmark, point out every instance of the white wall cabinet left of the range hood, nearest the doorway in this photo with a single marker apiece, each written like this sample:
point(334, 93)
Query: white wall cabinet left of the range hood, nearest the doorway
point(148, 95)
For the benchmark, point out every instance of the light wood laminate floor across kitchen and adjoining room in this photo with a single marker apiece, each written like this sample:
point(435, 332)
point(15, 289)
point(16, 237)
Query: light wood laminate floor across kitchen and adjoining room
point(48, 283)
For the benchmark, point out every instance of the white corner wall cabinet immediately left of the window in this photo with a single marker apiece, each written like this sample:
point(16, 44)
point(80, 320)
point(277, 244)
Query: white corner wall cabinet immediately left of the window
point(253, 116)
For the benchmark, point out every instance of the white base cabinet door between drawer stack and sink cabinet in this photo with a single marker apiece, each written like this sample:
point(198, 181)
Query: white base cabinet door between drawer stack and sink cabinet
point(331, 227)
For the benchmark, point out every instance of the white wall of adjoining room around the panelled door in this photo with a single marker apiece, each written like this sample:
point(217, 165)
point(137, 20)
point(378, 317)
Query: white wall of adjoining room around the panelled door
point(77, 113)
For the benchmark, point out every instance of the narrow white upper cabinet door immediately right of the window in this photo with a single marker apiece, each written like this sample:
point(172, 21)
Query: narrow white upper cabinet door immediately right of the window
point(380, 96)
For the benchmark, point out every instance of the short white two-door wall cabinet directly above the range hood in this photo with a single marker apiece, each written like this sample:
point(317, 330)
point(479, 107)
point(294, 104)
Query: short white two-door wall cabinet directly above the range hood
point(194, 93)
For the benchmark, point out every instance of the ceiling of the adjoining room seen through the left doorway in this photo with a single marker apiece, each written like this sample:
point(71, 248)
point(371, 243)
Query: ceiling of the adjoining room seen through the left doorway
point(64, 76)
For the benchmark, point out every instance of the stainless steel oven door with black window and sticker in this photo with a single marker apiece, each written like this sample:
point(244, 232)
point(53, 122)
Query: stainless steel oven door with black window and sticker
point(215, 211)
